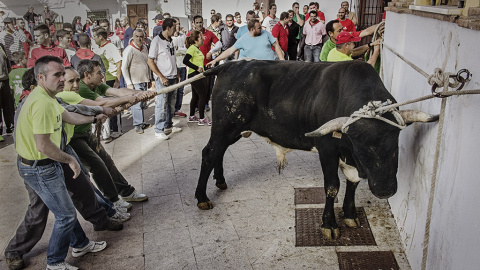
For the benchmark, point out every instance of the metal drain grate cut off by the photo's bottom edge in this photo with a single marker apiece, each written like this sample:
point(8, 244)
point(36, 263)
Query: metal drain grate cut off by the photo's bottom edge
point(384, 260)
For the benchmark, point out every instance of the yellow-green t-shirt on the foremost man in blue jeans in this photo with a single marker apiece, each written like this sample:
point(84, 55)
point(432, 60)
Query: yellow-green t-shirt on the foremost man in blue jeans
point(40, 114)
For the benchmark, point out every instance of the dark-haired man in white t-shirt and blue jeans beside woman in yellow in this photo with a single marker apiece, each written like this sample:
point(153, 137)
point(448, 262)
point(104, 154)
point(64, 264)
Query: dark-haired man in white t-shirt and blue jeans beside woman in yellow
point(163, 62)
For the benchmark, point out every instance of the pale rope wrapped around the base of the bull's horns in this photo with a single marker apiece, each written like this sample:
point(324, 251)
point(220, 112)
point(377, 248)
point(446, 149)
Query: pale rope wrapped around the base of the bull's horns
point(371, 111)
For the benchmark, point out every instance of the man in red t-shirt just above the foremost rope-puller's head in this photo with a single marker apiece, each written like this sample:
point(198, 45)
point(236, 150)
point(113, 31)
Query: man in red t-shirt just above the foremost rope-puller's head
point(42, 37)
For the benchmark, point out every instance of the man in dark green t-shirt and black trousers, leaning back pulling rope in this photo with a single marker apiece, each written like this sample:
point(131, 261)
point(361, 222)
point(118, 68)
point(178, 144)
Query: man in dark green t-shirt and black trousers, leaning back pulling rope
point(105, 174)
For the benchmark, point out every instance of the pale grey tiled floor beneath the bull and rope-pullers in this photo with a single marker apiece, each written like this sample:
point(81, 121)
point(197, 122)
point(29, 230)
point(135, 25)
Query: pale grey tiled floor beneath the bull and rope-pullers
point(252, 225)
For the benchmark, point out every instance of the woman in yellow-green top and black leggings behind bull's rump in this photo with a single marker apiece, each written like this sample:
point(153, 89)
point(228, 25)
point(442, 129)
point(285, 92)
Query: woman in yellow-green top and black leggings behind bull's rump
point(194, 61)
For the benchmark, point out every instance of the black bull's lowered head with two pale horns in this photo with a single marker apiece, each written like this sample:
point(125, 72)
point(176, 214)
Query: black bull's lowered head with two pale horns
point(375, 147)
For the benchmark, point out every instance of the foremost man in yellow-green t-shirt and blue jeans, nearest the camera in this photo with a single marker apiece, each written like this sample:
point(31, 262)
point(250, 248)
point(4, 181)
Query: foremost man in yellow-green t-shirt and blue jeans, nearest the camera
point(38, 141)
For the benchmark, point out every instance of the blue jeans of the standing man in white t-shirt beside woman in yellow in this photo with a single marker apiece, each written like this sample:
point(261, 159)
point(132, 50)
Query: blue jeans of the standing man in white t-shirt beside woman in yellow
point(165, 106)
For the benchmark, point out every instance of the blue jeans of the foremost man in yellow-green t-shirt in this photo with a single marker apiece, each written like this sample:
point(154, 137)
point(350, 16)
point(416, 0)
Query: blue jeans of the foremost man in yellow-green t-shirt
point(49, 183)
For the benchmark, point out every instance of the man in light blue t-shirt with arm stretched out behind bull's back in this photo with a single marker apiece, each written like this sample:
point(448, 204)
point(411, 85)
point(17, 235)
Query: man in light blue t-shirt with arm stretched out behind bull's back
point(256, 44)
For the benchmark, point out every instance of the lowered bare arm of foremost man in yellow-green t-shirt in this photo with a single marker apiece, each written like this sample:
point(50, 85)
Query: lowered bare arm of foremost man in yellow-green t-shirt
point(50, 150)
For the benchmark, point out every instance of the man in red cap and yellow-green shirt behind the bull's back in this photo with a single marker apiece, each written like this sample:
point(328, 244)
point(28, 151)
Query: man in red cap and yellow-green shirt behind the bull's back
point(344, 47)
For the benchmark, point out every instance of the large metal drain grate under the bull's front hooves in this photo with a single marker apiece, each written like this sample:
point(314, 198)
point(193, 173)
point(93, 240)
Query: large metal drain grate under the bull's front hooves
point(308, 233)
